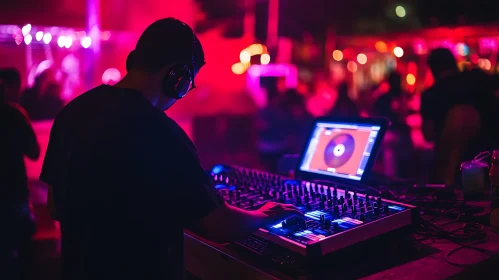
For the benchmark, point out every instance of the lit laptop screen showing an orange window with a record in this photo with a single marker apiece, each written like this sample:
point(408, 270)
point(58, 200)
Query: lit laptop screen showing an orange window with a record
point(340, 149)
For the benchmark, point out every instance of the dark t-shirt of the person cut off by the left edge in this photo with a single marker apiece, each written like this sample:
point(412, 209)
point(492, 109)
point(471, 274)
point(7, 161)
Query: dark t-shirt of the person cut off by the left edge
point(18, 139)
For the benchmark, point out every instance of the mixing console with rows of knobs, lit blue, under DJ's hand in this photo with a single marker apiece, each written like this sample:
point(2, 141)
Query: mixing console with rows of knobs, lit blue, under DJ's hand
point(334, 216)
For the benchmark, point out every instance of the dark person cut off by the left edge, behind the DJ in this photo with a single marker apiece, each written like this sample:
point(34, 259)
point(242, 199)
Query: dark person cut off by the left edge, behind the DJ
point(17, 141)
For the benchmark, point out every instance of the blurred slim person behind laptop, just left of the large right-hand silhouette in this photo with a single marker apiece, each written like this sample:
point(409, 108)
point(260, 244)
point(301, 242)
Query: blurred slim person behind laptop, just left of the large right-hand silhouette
point(397, 147)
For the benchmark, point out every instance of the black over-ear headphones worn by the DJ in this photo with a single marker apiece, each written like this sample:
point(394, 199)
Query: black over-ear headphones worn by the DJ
point(180, 78)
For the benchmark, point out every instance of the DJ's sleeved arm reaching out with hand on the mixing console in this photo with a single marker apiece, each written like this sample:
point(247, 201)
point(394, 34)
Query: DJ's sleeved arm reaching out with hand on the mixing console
point(206, 213)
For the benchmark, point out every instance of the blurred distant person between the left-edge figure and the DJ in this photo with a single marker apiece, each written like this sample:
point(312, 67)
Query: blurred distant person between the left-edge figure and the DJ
point(43, 101)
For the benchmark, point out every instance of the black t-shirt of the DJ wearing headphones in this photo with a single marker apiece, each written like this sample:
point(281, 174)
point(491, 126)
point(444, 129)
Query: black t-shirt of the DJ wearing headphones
point(126, 181)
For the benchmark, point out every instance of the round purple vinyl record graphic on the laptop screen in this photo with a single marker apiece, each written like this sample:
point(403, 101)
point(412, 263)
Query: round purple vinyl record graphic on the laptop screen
point(339, 150)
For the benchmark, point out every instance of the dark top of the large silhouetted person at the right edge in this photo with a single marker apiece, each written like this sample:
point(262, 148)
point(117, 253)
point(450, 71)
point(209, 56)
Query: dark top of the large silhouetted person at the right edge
point(473, 88)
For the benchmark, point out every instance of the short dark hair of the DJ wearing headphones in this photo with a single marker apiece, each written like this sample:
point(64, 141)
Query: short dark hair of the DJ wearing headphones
point(164, 42)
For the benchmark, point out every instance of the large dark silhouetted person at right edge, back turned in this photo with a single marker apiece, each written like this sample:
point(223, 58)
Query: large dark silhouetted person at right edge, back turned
point(458, 114)
